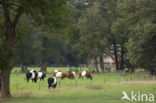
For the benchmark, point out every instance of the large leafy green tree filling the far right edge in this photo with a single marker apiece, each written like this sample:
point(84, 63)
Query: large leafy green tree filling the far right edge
point(140, 16)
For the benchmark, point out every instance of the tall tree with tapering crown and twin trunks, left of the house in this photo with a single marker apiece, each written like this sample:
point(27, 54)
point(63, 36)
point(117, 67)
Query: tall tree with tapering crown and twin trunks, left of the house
point(93, 34)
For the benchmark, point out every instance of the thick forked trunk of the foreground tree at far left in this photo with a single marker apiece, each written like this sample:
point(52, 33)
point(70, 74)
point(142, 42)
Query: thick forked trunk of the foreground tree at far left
point(9, 42)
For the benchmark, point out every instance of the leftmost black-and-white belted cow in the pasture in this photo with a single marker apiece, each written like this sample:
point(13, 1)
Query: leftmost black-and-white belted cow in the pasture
point(33, 75)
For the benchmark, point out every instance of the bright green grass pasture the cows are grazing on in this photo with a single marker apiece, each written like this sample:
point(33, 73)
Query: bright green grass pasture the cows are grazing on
point(105, 88)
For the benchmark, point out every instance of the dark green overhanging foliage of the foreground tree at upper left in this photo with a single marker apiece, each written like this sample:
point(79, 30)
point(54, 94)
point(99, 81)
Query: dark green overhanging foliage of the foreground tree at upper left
point(52, 15)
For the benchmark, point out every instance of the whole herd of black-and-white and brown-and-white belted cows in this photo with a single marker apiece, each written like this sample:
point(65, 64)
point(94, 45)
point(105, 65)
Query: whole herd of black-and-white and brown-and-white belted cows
point(52, 81)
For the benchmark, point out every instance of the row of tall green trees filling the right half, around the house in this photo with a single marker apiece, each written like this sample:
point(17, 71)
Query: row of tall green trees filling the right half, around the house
point(123, 29)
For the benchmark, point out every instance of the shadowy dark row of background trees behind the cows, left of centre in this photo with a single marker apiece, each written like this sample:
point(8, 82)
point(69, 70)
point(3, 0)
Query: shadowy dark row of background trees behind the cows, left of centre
point(37, 49)
